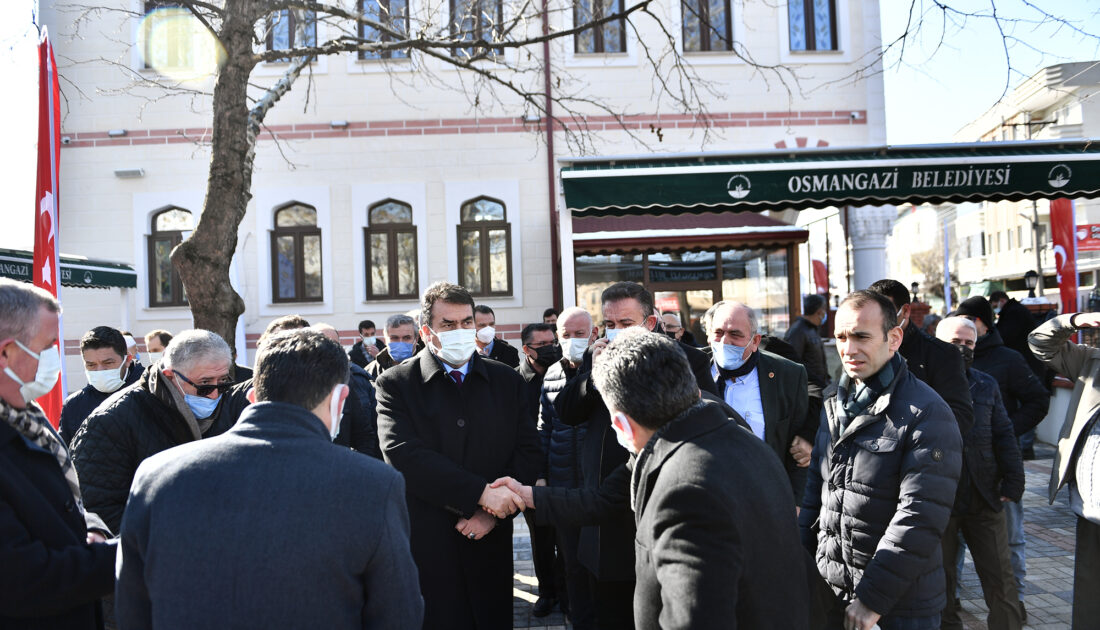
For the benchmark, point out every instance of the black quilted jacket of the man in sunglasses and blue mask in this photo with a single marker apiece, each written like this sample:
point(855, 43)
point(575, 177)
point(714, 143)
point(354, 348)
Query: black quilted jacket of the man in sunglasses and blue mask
point(129, 427)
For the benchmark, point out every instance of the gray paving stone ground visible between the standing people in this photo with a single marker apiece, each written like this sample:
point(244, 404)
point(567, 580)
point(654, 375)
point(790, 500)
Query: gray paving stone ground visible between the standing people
point(1050, 583)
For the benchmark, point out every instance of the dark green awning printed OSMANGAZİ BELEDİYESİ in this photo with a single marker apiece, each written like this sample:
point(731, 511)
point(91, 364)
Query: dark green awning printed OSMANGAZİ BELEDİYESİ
point(820, 178)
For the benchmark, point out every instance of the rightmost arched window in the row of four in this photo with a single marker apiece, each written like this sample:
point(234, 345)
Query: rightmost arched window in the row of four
point(486, 248)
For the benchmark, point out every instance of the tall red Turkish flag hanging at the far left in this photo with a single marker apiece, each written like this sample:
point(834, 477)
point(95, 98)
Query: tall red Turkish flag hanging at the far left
point(47, 258)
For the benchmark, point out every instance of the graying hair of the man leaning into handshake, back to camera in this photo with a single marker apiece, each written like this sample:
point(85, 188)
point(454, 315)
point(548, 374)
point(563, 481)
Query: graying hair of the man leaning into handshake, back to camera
point(646, 377)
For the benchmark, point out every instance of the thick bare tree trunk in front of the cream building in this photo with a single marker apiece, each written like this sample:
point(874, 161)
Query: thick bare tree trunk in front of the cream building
point(204, 260)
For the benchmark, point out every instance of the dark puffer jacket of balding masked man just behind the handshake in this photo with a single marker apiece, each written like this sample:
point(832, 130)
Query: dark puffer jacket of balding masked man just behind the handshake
point(560, 441)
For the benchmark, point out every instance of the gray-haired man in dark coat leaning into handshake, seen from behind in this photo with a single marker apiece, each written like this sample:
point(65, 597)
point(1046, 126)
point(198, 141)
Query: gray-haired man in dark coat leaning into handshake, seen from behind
point(706, 558)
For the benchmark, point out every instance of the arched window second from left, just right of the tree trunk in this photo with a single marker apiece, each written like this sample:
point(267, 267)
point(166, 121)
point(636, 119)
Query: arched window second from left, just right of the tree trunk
point(296, 256)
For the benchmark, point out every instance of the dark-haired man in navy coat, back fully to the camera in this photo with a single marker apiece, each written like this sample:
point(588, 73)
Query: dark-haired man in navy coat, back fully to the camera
point(300, 533)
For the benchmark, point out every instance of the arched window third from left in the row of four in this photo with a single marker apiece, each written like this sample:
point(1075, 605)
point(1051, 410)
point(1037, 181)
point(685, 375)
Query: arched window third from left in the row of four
point(390, 242)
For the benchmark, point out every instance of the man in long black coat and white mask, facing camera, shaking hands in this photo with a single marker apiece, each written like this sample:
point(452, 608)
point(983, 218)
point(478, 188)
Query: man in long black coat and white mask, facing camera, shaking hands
point(453, 423)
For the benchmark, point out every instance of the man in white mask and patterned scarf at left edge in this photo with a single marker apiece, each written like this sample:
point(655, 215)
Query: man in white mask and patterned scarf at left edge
point(56, 565)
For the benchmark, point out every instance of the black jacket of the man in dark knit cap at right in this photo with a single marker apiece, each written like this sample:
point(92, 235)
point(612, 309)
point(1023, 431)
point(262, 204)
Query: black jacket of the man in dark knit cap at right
point(1025, 397)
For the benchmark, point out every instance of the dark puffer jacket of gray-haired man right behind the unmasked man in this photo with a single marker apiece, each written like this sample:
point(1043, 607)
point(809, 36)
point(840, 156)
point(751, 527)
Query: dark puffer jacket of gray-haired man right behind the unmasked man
point(994, 467)
